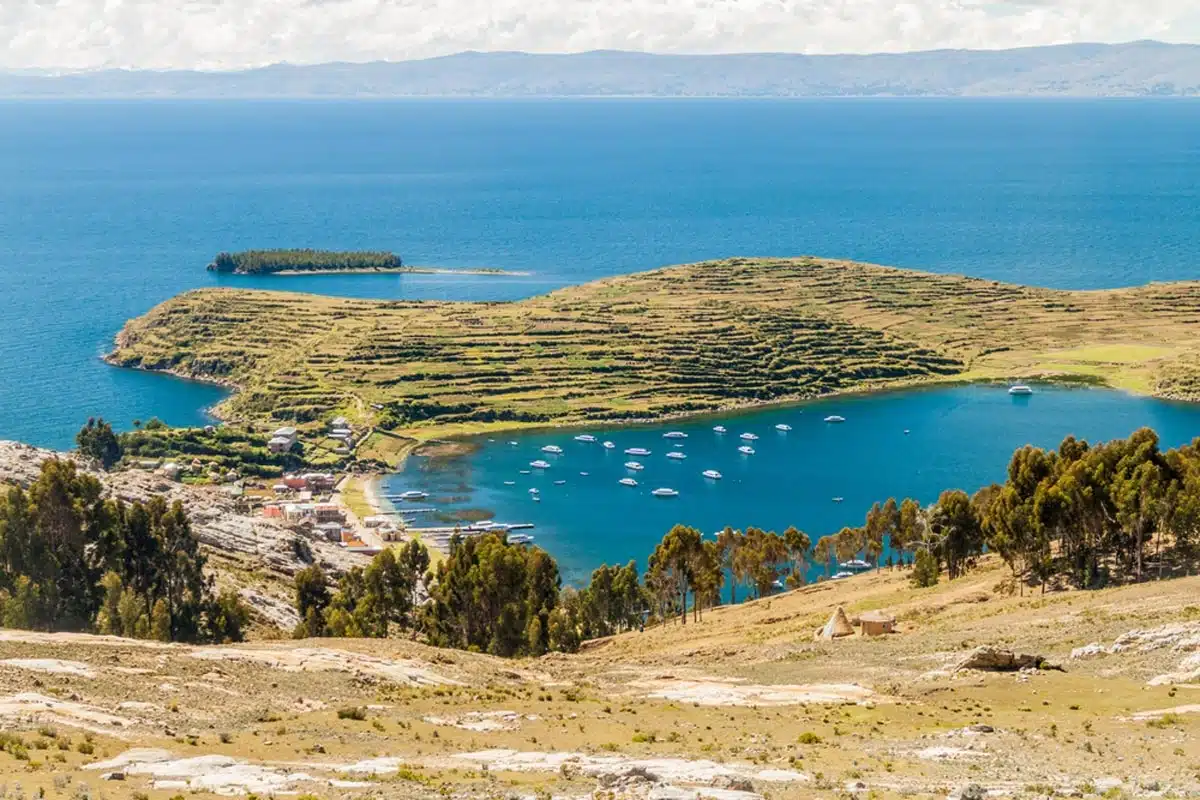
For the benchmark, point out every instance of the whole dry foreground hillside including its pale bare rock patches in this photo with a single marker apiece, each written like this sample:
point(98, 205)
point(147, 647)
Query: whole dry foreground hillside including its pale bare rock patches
point(740, 707)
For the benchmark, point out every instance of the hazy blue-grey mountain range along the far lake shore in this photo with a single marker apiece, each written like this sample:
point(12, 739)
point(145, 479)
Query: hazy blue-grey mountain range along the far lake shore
point(1139, 69)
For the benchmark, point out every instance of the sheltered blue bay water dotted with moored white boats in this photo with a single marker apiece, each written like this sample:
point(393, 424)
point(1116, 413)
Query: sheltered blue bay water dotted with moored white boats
point(959, 438)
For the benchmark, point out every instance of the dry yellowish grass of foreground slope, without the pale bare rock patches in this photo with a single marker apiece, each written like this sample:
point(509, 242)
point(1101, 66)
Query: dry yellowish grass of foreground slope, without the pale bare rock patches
point(1066, 730)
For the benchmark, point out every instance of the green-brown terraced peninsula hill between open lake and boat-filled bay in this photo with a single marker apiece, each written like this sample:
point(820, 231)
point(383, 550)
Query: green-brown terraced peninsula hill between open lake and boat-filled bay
point(691, 339)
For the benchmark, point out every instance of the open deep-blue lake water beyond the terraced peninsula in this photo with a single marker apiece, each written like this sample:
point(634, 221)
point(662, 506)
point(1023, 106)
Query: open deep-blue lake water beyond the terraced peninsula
point(110, 208)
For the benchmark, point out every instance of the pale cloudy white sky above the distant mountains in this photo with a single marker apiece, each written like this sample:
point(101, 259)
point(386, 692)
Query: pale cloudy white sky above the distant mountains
point(238, 34)
